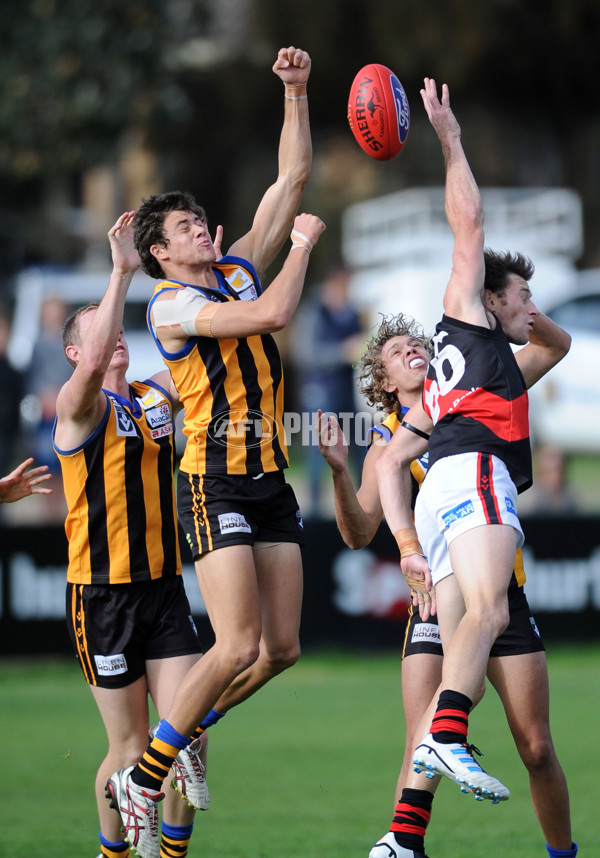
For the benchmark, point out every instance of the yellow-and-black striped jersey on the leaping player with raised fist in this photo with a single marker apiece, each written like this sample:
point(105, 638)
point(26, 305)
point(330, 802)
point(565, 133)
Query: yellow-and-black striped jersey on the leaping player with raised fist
point(231, 389)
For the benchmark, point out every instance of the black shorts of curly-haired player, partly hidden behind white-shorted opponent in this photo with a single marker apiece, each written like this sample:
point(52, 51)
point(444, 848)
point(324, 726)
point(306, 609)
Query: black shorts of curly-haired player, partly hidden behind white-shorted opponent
point(519, 638)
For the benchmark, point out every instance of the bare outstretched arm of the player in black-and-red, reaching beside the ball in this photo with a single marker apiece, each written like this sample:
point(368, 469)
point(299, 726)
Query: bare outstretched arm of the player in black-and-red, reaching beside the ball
point(464, 292)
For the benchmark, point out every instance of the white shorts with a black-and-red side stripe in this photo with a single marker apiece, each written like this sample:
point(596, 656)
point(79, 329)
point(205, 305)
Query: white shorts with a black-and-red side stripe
point(458, 494)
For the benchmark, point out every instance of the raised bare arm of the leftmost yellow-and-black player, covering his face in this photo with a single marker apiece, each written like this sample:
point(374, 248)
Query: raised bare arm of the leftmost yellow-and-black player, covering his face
point(81, 403)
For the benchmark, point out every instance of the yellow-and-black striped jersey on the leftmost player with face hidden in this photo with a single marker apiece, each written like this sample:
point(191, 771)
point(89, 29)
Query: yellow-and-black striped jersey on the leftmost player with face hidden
point(121, 522)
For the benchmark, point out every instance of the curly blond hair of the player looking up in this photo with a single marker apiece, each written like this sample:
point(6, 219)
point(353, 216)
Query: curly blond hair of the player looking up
point(372, 372)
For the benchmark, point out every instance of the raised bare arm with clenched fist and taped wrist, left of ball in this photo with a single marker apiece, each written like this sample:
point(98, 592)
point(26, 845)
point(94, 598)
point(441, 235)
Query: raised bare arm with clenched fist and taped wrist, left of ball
point(275, 214)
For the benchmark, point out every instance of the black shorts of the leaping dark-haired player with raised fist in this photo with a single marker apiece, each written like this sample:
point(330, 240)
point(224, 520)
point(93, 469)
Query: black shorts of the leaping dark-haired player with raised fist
point(220, 510)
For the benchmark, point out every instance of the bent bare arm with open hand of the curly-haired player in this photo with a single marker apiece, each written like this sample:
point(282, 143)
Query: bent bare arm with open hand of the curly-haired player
point(358, 514)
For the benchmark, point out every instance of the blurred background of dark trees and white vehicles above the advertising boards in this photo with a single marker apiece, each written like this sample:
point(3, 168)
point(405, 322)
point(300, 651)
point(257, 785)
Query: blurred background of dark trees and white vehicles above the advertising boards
point(105, 103)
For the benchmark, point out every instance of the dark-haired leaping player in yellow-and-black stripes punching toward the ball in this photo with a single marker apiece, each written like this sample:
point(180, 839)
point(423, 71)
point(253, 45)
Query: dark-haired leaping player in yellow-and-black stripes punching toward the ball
point(213, 325)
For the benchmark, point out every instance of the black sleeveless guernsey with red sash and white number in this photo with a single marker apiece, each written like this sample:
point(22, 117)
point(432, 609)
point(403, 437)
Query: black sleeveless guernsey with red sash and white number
point(476, 396)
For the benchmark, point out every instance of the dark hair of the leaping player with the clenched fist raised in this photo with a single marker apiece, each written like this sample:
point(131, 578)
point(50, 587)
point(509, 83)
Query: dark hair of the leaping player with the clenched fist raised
point(148, 225)
